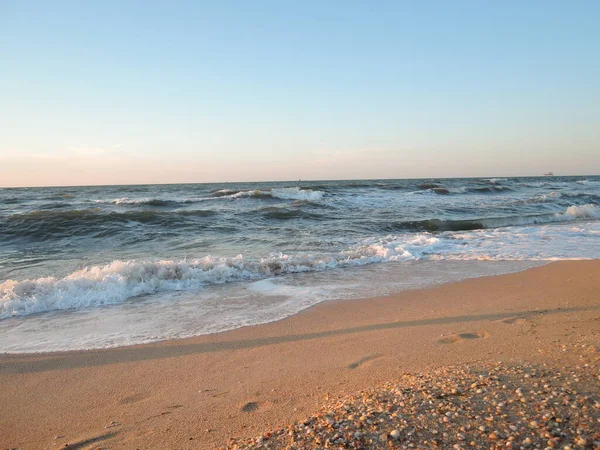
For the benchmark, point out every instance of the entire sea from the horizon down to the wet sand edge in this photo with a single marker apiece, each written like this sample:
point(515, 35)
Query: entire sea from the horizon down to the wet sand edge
point(93, 267)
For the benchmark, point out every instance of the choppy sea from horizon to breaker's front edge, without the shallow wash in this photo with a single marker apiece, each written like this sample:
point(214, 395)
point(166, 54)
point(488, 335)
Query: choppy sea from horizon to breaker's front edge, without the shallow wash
point(316, 225)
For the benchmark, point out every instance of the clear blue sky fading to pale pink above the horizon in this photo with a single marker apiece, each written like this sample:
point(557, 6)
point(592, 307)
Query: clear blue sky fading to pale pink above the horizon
point(128, 92)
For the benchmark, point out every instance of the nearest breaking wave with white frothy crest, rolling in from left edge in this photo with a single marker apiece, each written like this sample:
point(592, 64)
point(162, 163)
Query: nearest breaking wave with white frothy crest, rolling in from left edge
point(120, 280)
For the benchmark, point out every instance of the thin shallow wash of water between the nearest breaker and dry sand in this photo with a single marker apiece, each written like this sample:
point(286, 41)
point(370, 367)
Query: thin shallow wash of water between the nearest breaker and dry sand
point(224, 307)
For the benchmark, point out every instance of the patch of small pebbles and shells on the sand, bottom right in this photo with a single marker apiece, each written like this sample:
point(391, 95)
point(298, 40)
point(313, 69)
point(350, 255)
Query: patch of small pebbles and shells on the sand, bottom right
point(496, 405)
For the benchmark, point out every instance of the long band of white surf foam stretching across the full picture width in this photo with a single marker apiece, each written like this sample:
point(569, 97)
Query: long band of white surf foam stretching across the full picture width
point(118, 281)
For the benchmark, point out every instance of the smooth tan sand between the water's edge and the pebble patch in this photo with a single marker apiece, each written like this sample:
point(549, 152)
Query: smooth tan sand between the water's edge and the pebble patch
point(200, 392)
